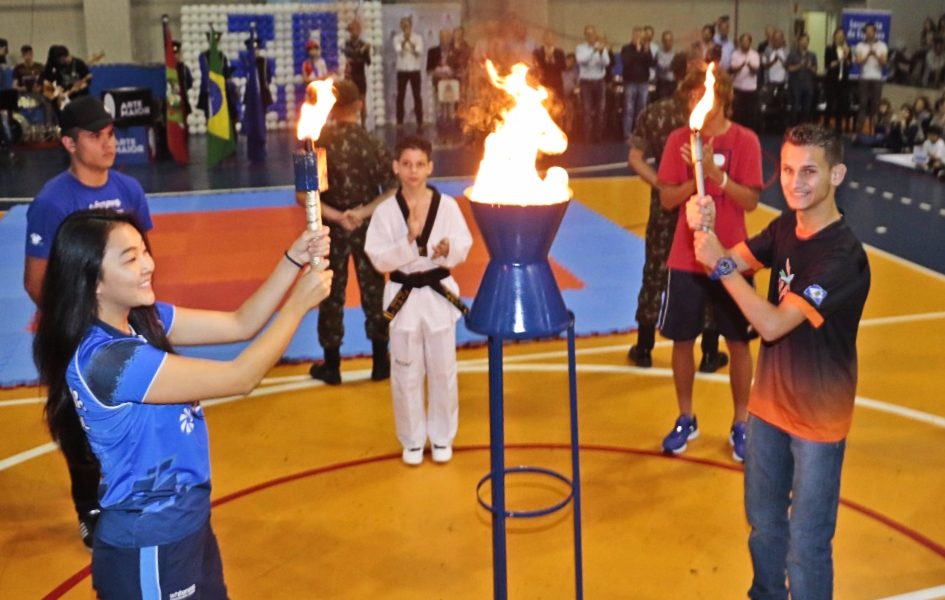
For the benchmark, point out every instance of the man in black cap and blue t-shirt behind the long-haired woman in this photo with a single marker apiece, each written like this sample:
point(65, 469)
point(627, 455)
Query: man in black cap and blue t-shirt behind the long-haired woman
point(88, 135)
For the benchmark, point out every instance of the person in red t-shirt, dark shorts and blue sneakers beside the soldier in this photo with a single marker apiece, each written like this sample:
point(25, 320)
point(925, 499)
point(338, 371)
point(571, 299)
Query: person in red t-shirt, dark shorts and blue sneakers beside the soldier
point(733, 179)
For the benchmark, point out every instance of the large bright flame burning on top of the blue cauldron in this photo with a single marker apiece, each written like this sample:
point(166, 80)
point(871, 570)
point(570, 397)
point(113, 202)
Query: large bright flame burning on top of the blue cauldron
point(507, 173)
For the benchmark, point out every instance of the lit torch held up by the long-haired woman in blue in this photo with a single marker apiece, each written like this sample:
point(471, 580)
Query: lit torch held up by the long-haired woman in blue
point(311, 169)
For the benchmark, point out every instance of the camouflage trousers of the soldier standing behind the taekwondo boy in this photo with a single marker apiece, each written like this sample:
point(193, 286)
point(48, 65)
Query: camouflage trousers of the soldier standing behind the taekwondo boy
point(331, 329)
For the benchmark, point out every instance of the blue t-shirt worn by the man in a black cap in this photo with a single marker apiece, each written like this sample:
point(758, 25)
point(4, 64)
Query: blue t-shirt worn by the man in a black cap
point(64, 194)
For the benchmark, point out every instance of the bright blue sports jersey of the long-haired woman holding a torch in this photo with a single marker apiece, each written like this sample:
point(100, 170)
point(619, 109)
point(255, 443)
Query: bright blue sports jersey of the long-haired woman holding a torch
point(155, 458)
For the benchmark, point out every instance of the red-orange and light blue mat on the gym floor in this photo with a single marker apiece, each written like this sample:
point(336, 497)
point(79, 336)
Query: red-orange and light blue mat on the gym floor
point(213, 249)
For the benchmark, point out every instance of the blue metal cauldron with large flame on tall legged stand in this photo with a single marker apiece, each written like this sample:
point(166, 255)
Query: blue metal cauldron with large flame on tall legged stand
point(518, 214)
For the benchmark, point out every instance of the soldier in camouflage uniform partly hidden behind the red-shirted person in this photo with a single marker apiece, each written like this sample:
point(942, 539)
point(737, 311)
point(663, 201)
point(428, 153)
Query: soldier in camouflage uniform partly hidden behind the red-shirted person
point(652, 128)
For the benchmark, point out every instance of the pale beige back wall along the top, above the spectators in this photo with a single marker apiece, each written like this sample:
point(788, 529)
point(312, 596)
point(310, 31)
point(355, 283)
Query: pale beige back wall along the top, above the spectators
point(45, 22)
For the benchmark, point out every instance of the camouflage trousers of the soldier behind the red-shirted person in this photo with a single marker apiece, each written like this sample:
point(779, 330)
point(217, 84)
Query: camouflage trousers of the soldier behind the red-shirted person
point(660, 228)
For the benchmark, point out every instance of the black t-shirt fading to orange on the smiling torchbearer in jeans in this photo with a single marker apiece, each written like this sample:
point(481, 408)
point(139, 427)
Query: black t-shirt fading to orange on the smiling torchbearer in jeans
point(806, 381)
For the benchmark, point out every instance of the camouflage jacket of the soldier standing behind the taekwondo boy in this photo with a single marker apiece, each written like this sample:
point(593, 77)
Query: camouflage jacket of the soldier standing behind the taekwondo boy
point(359, 166)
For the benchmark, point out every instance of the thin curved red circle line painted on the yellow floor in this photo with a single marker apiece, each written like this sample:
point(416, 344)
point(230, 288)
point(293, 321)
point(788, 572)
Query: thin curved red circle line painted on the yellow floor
point(867, 512)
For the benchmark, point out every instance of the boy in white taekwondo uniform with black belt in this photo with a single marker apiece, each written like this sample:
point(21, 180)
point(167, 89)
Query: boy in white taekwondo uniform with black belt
point(416, 236)
